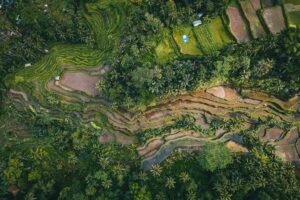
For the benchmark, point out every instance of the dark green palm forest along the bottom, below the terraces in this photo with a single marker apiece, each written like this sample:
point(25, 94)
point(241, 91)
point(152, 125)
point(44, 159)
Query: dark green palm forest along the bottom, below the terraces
point(68, 162)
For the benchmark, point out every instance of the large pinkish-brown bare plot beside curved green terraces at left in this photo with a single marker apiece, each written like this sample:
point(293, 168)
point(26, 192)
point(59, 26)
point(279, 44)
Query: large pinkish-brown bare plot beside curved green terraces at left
point(81, 81)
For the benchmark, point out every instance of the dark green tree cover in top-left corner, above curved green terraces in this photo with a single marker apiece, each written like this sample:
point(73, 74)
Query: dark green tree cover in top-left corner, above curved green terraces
point(29, 28)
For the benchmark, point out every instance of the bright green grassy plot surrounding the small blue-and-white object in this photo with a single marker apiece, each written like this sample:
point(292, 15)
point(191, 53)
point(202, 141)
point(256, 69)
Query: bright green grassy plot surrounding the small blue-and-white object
point(190, 48)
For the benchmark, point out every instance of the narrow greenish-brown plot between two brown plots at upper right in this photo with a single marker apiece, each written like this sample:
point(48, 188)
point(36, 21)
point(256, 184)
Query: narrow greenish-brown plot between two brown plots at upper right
point(249, 10)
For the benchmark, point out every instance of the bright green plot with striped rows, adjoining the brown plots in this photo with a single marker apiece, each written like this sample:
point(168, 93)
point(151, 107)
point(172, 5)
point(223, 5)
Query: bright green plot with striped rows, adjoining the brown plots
point(212, 36)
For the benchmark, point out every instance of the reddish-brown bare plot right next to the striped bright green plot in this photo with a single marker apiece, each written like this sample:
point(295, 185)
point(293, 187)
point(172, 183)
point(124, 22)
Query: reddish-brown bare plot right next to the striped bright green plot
point(237, 25)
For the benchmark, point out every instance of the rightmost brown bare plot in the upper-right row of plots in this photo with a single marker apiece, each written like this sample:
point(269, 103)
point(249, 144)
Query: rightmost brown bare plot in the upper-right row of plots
point(274, 19)
